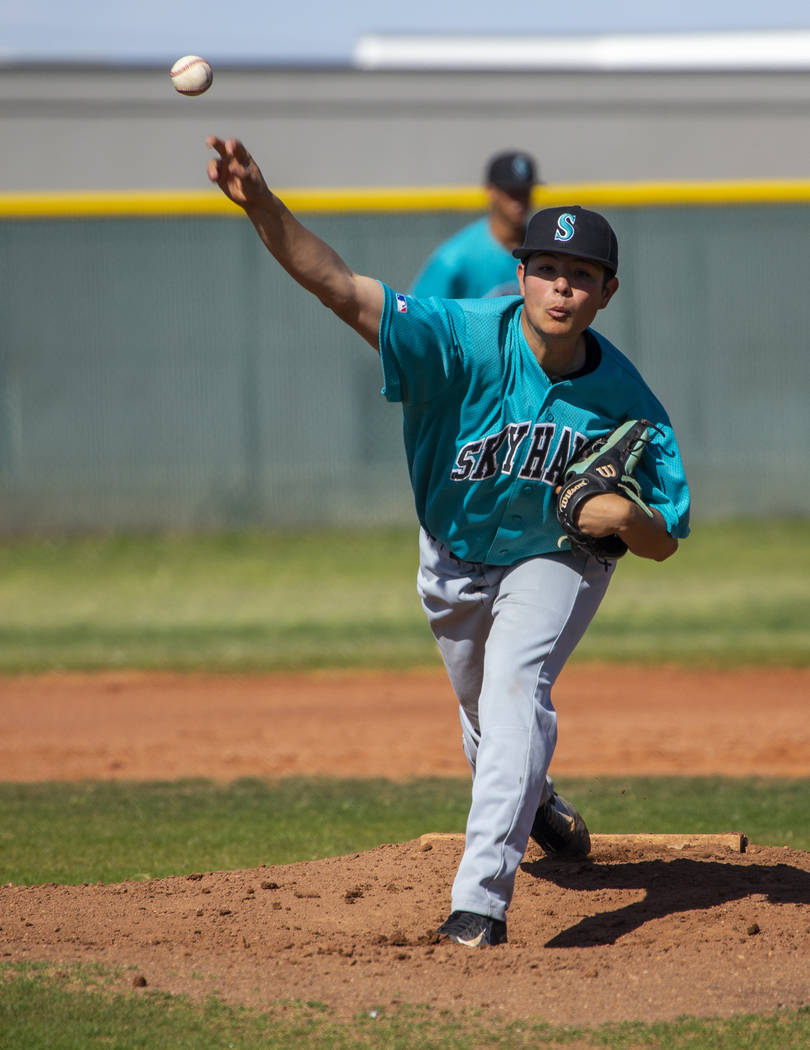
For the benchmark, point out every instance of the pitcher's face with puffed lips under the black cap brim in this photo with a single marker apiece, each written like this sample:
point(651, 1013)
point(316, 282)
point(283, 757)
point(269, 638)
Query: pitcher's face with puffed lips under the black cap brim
point(563, 293)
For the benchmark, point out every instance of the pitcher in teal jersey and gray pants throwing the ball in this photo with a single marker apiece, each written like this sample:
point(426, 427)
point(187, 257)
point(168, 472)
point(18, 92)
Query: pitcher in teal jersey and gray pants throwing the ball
point(497, 394)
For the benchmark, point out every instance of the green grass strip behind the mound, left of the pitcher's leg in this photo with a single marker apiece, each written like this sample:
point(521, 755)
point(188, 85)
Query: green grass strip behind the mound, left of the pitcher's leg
point(87, 832)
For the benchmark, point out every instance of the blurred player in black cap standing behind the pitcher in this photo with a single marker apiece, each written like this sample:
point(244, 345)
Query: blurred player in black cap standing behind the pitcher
point(477, 262)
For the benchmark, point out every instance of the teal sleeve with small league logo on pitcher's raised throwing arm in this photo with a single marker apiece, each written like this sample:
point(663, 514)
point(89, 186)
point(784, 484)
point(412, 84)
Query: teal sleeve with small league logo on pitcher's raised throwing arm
point(419, 347)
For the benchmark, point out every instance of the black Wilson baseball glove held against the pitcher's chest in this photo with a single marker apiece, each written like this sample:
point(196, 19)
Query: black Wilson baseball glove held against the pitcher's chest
point(604, 466)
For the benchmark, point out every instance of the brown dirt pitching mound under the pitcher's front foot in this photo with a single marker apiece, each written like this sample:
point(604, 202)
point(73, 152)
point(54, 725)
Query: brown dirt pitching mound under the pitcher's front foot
point(633, 934)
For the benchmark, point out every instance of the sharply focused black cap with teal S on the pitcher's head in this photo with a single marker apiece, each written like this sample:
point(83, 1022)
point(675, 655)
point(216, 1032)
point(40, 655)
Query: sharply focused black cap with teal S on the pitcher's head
point(572, 232)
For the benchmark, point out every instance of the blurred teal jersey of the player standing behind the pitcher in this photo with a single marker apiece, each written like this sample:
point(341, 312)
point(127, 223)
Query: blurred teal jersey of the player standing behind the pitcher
point(471, 265)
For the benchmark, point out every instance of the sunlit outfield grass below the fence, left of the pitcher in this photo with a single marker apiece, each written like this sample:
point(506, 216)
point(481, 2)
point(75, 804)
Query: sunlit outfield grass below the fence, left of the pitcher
point(237, 602)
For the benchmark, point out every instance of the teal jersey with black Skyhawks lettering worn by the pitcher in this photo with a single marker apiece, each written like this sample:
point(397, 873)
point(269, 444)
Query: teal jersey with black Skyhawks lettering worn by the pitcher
point(488, 435)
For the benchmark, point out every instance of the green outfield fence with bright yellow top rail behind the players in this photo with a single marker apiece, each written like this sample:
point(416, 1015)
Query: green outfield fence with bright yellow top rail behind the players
point(158, 371)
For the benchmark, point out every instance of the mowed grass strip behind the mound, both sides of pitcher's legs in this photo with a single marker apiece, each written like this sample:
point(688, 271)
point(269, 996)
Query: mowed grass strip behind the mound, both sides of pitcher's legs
point(91, 832)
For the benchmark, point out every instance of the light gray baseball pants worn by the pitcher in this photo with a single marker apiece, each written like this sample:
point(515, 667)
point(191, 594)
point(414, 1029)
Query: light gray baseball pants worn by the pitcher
point(505, 635)
